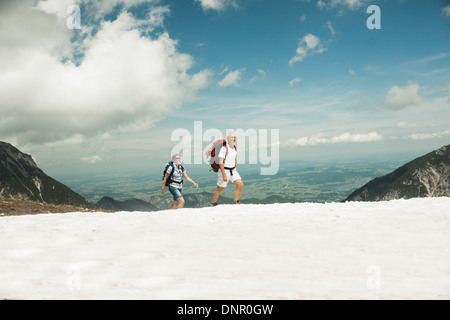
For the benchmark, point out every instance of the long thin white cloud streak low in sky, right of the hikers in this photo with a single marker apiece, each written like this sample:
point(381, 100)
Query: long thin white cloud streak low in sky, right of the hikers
point(343, 138)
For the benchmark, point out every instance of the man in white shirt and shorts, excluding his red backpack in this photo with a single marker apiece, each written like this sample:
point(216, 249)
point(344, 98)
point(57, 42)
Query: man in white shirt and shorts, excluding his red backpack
point(228, 170)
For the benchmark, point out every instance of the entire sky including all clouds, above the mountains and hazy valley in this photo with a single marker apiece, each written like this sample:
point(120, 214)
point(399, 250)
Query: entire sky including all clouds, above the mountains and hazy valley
point(111, 93)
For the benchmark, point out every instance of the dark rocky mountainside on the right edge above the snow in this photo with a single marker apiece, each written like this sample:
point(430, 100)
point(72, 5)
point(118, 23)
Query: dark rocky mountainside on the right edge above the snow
point(427, 176)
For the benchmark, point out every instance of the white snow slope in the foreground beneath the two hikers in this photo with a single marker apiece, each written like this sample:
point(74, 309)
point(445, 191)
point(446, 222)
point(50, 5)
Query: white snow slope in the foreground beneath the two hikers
point(385, 250)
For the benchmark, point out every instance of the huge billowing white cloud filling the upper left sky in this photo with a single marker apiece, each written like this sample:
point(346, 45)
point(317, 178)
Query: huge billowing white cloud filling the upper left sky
point(124, 82)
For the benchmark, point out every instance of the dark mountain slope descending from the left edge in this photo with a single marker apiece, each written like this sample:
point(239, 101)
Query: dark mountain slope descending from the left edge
point(20, 178)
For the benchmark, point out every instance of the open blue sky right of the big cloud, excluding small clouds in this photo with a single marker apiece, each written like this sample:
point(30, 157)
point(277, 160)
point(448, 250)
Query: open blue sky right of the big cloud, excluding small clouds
point(341, 90)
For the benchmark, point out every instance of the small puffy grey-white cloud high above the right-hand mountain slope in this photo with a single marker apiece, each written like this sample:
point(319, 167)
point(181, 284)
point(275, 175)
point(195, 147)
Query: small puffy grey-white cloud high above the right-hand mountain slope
point(400, 97)
